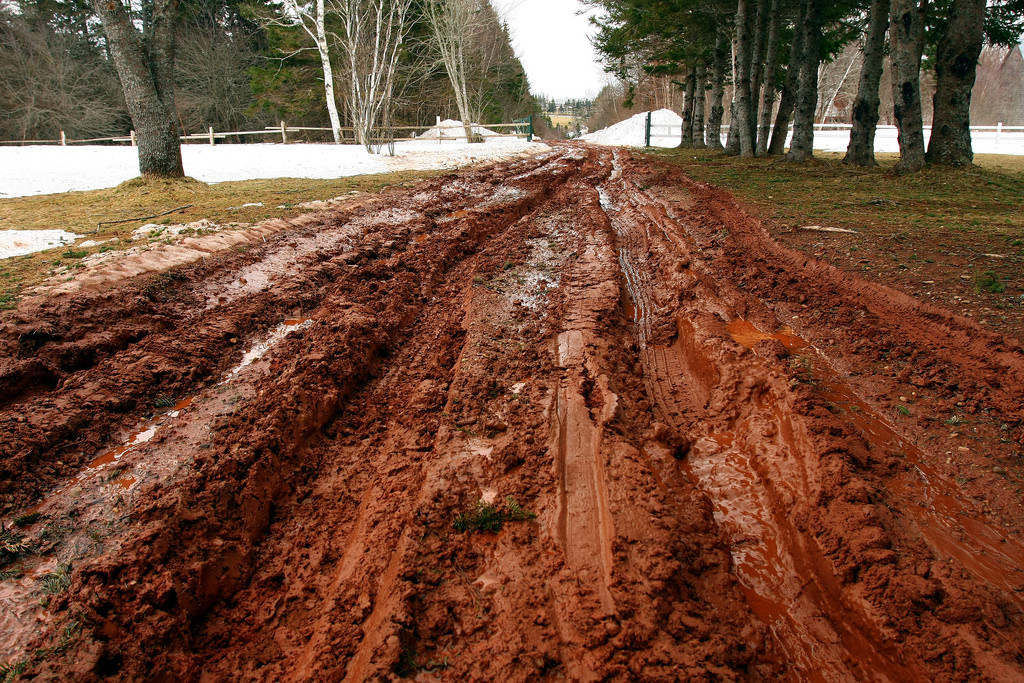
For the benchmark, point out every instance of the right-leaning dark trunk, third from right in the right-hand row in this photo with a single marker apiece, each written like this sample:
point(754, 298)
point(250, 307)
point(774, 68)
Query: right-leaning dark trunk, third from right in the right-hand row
point(866, 108)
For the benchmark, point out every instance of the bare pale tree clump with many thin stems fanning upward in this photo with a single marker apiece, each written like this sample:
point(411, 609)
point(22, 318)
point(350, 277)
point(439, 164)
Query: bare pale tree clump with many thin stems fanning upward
point(371, 42)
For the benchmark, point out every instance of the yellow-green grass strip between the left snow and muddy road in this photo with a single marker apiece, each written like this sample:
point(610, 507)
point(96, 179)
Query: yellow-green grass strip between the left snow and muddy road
point(222, 203)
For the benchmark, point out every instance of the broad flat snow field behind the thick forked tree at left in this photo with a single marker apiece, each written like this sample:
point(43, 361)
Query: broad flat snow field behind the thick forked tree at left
point(48, 169)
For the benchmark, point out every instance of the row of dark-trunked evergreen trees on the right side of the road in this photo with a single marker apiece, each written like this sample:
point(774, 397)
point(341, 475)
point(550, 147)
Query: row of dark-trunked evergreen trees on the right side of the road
point(770, 54)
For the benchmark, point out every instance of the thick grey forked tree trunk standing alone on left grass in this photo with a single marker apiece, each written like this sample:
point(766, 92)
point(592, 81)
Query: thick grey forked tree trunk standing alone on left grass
point(147, 72)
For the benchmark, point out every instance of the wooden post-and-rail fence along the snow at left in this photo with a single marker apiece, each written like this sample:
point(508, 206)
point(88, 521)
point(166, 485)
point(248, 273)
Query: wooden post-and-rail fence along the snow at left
point(521, 129)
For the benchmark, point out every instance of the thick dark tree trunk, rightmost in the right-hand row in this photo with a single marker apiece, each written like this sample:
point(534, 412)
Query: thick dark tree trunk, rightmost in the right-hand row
point(956, 68)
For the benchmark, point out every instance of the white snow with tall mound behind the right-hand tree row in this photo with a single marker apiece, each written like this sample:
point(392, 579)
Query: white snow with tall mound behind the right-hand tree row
point(666, 124)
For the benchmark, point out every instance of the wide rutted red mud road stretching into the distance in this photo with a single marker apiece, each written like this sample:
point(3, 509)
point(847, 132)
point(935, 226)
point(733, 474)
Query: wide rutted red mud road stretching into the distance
point(701, 420)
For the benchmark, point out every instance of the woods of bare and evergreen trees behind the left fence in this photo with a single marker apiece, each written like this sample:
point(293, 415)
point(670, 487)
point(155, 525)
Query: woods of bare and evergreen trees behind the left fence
point(245, 65)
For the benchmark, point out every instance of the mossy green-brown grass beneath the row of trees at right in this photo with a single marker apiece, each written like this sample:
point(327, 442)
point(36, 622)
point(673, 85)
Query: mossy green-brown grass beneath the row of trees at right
point(983, 199)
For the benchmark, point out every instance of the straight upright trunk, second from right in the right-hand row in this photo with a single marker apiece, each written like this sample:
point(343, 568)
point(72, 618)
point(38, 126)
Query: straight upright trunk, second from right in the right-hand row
point(908, 36)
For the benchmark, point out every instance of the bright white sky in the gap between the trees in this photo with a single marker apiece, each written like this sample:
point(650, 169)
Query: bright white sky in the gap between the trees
point(553, 45)
